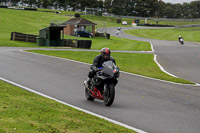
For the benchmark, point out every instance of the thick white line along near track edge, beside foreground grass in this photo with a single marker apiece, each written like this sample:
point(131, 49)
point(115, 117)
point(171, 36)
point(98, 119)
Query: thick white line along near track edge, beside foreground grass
point(80, 109)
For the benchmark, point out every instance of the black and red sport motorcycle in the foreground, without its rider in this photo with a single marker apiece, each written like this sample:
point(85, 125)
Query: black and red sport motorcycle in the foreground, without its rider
point(102, 86)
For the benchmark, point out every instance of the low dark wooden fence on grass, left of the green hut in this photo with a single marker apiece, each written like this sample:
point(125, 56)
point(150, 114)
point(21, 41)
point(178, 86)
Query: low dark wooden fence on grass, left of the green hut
point(23, 37)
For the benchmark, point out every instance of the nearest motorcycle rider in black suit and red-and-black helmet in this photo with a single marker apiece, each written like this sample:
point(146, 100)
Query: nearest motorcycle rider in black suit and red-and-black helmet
point(98, 61)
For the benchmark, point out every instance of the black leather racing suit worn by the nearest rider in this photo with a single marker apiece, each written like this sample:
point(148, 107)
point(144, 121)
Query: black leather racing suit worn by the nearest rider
point(98, 61)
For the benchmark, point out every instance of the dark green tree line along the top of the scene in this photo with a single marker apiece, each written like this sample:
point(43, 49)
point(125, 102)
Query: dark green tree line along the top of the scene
point(140, 8)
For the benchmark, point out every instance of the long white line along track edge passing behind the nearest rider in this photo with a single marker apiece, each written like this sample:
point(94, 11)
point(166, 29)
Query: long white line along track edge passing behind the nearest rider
point(120, 71)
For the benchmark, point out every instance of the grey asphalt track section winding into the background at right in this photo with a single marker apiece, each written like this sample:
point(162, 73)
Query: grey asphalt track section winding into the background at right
point(180, 60)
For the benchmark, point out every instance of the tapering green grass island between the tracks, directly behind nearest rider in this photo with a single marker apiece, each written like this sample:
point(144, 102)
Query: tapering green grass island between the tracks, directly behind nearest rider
point(142, 64)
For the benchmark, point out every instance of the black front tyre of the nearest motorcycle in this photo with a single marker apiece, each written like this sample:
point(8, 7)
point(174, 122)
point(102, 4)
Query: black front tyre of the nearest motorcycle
point(109, 95)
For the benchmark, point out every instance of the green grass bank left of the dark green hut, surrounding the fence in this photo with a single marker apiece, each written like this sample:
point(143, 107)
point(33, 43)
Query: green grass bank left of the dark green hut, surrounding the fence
point(29, 22)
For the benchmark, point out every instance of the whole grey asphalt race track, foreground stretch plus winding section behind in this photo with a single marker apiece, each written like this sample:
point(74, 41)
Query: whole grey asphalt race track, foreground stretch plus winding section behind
point(150, 105)
